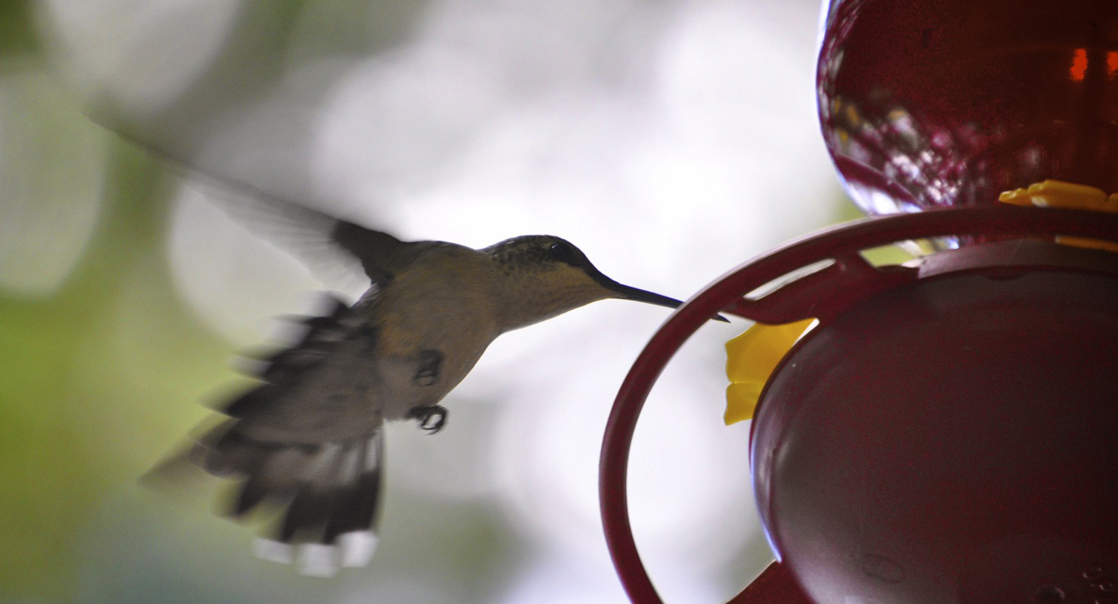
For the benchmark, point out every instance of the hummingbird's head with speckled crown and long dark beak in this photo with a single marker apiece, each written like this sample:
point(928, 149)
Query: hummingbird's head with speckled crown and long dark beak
point(547, 276)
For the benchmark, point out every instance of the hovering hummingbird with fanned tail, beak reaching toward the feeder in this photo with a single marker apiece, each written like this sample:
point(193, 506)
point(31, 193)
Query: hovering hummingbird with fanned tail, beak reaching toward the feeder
point(308, 437)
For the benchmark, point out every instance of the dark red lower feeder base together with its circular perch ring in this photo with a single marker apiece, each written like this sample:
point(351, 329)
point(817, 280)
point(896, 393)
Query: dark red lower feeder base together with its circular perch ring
point(948, 435)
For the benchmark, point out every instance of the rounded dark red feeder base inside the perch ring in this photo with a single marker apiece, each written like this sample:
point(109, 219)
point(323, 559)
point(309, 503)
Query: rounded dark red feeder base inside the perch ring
point(953, 440)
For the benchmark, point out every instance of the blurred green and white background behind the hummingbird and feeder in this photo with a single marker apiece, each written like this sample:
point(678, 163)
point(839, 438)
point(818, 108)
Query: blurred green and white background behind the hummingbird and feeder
point(670, 139)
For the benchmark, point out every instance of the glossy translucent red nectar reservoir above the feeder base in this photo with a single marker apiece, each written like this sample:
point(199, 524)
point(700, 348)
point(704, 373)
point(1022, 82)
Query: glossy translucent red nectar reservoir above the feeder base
point(948, 103)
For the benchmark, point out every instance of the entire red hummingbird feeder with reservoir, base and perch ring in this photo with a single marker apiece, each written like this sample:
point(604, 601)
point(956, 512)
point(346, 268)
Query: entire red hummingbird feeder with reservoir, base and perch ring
point(949, 431)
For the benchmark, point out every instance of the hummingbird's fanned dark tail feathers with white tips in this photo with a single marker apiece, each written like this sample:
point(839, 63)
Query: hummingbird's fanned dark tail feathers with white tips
point(309, 441)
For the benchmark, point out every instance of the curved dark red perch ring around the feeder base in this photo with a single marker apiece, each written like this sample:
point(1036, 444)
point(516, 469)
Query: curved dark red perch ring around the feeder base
point(857, 282)
